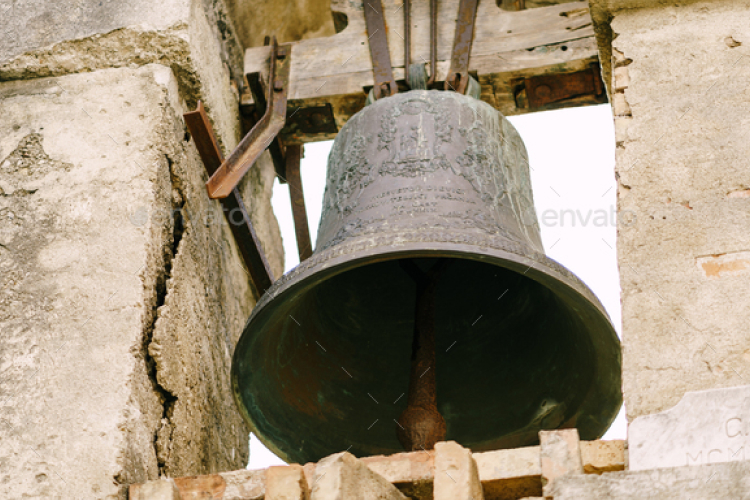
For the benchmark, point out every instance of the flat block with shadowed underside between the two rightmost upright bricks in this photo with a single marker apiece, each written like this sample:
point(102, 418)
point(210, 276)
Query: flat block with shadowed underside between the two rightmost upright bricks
point(510, 474)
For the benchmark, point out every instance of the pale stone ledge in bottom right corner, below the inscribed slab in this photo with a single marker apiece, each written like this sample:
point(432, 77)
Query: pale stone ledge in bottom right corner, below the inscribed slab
point(706, 482)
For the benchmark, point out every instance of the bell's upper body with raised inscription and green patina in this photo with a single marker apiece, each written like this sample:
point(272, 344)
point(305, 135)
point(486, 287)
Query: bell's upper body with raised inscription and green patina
point(451, 164)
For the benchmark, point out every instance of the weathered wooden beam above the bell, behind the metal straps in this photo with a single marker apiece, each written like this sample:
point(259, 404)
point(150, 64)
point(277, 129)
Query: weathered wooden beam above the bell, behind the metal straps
point(508, 48)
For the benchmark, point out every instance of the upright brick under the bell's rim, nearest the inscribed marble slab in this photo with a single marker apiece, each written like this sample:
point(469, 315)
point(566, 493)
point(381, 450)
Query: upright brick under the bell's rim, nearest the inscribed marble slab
point(560, 456)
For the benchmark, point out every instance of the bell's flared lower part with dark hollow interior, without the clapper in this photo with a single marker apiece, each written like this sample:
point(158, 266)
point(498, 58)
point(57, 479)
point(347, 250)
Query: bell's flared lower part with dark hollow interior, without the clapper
point(522, 345)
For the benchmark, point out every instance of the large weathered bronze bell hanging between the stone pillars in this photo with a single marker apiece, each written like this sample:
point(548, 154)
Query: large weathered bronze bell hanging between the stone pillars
point(428, 224)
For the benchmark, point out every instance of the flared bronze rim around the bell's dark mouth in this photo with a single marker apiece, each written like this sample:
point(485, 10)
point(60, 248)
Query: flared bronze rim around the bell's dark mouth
point(338, 259)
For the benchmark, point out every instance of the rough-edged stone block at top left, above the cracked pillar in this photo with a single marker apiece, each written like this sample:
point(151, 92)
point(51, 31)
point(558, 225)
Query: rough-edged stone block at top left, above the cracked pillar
point(194, 37)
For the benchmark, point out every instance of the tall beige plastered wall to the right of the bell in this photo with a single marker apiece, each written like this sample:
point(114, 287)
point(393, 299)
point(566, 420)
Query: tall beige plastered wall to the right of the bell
point(682, 116)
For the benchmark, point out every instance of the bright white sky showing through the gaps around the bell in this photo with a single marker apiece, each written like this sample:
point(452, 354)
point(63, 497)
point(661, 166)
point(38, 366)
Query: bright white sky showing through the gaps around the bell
point(571, 153)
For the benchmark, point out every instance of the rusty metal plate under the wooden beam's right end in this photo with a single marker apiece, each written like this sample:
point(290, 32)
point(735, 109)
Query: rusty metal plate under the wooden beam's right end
point(549, 89)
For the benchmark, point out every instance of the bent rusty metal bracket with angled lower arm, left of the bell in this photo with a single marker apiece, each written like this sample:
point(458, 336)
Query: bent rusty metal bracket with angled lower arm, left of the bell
point(231, 171)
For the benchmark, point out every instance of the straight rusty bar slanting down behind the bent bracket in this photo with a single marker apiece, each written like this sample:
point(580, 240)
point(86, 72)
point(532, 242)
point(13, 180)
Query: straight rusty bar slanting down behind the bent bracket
point(233, 207)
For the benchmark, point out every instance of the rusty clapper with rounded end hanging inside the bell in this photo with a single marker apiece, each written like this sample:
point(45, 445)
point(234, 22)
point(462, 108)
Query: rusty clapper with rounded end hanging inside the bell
point(421, 425)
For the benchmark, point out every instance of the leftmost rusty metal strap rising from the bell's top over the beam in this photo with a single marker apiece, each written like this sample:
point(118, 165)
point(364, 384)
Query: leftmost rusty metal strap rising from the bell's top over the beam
point(382, 71)
